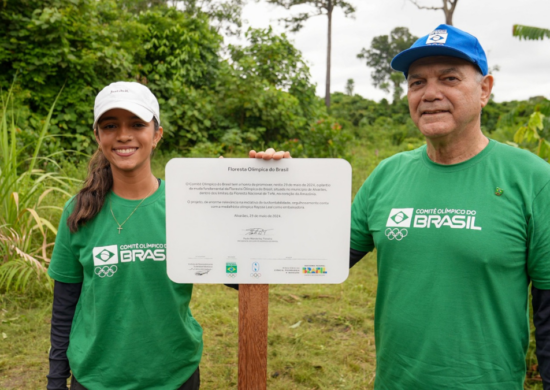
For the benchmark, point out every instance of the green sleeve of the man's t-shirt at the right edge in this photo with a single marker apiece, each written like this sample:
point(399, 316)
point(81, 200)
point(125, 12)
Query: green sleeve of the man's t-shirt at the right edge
point(538, 257)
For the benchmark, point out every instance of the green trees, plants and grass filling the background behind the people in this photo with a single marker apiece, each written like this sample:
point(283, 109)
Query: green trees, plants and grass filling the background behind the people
point(215, 98)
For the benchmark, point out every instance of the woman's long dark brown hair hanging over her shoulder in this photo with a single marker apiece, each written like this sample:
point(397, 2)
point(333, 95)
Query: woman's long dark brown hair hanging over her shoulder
point(98, 183)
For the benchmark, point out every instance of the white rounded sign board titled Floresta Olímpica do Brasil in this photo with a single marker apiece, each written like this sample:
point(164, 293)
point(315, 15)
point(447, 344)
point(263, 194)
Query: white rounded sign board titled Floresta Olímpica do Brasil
point(249, 221)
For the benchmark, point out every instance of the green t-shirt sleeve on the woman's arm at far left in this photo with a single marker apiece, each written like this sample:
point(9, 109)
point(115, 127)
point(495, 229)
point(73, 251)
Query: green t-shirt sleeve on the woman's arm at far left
point(65, 265)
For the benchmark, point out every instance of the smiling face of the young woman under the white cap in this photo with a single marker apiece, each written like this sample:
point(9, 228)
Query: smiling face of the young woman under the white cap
point(126, 140)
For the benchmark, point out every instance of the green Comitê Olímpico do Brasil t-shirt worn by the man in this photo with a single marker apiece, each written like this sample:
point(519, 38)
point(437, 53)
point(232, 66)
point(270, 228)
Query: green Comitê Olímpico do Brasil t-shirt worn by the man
point(457, 246)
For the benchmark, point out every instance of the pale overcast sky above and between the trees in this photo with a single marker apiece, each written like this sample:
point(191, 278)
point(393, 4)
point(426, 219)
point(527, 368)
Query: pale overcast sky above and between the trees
point(524, 65)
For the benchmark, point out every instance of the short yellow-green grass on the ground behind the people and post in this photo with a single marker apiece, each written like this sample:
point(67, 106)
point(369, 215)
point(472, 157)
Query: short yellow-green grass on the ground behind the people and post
point(320, 336)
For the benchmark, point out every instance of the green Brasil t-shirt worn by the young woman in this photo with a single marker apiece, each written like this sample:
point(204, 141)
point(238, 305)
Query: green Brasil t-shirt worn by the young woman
point(132, 328)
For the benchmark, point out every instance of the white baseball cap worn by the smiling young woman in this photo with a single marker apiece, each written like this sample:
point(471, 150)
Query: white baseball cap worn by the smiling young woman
point(130, 96)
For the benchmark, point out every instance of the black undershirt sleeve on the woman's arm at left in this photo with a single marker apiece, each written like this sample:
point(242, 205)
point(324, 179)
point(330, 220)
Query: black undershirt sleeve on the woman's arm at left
point(65, 298)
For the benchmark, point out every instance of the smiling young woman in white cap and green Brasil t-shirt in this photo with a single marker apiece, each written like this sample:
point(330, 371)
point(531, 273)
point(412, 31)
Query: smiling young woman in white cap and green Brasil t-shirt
point(118, 322)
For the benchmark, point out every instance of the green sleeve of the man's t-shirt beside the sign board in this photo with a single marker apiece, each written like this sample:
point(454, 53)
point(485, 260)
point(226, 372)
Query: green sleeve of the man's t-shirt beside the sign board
point(361, 238)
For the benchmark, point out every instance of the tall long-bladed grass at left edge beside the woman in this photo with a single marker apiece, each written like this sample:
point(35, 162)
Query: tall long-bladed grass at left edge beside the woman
point(26, 232)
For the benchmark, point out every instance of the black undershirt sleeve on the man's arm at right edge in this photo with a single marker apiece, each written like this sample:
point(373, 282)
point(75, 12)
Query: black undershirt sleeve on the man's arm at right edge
point(541, 319)
